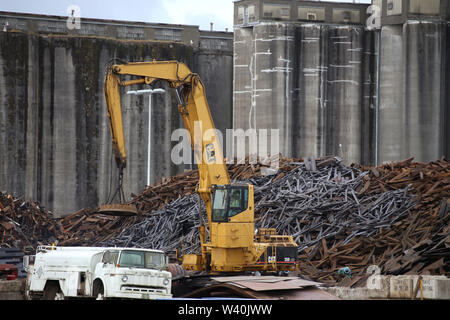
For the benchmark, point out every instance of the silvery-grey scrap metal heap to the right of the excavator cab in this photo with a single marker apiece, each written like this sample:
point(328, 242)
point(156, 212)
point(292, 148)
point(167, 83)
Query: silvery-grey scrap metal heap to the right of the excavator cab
point(324, 204)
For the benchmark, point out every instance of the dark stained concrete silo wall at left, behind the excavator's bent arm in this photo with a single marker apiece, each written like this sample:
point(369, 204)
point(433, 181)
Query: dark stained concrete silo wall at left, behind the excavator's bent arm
point(54, 132)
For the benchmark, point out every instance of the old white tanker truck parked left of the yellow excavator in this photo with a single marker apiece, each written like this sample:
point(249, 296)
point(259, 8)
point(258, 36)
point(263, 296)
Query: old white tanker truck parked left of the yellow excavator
point(100, 273)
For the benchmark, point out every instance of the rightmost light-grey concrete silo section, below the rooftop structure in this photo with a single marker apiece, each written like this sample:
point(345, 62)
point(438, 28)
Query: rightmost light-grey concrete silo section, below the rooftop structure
point(413, 92)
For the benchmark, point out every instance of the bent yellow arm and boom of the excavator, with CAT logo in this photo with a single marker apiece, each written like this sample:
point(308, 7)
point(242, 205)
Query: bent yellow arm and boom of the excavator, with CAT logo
point(193, 108)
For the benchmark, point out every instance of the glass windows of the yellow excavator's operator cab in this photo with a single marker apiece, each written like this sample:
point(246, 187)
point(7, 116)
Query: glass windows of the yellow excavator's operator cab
point(229, 201)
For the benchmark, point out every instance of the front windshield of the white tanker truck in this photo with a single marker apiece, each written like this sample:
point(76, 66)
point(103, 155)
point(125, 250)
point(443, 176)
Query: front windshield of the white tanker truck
point(142, 259)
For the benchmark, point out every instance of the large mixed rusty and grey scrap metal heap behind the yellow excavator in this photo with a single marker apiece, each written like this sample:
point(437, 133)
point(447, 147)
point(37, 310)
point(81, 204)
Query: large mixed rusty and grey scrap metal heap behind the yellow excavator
point(394, 216)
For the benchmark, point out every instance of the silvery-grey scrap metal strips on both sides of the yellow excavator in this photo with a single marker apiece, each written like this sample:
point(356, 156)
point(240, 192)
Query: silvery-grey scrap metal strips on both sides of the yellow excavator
point(310, 205)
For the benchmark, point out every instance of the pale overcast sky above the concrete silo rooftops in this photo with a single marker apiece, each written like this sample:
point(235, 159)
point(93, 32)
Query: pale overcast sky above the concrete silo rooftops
point(189, 12)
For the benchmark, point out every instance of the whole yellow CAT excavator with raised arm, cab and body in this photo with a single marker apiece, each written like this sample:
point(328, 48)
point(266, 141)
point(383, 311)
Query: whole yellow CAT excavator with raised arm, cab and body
point(233, 245)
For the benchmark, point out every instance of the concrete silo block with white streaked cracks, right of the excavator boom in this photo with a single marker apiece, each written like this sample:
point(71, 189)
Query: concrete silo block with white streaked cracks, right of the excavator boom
point(307, 81)
